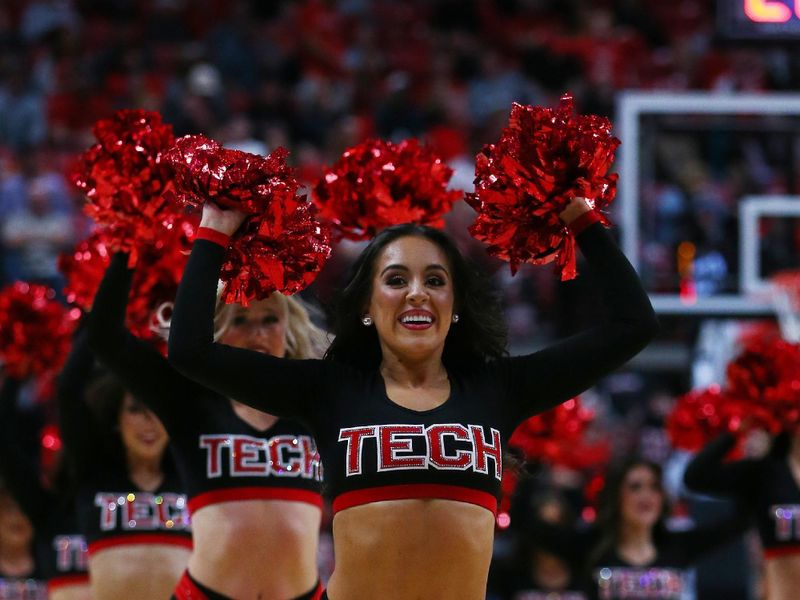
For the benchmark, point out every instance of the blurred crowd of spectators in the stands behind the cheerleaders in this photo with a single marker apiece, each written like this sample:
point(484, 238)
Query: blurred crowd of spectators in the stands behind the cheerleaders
point(317, 76)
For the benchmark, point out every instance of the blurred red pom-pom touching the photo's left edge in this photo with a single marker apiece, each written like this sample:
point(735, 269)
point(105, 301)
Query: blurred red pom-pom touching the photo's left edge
point(35, 329)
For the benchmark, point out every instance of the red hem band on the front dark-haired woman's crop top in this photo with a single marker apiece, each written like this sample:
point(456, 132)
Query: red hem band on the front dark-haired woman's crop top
point(416, 490)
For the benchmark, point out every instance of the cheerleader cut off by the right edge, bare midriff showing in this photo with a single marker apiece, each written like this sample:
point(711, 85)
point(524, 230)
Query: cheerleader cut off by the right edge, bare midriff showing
point(770, 487)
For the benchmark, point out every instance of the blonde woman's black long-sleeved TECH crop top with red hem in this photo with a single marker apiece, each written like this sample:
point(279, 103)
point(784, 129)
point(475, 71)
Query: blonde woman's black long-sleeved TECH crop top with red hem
point(219, 456)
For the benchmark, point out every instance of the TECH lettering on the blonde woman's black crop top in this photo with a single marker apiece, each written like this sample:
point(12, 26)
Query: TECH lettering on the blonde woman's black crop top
point(248, 456)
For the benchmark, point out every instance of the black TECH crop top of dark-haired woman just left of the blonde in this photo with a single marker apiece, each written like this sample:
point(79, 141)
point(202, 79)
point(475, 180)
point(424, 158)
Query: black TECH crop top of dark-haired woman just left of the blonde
point(111, 509)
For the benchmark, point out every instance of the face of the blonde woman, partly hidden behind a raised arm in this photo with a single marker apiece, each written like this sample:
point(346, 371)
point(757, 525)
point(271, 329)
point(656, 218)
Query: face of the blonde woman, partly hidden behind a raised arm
point(260, 327)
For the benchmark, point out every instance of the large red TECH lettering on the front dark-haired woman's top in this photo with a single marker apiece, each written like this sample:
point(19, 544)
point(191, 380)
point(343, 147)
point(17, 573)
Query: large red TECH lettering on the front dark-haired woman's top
point(444, 447)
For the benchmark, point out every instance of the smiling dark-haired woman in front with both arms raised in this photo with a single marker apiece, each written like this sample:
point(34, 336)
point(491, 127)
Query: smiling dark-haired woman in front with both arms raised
point(412, 406)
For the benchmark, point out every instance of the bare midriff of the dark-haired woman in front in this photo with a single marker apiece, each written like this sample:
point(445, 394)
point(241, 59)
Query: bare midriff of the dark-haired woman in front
point(400, 549)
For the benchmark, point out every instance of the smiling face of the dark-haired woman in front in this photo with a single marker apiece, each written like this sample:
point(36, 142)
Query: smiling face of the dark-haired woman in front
point(412, 298)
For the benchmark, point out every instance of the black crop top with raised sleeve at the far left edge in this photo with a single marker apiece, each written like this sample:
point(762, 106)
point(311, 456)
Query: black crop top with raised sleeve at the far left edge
point(60, 551)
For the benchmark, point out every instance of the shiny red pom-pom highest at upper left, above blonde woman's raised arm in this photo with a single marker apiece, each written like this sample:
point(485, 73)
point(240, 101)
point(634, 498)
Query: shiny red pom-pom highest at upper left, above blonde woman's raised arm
point(125, 179)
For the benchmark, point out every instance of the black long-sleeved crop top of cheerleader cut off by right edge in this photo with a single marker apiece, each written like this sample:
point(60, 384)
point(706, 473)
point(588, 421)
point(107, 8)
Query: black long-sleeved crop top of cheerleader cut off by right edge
point(766, 485)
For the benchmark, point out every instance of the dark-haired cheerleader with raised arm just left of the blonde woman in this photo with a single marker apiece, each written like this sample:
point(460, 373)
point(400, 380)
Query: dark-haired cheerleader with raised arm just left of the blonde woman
point(130, 502)
